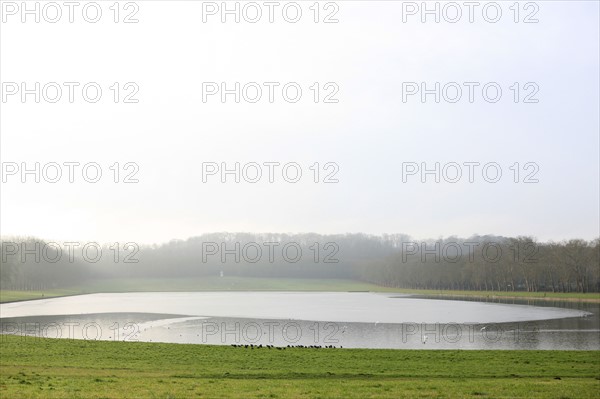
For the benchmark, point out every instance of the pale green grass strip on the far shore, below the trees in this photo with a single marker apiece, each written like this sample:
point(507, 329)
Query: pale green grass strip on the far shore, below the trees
point(270, 284)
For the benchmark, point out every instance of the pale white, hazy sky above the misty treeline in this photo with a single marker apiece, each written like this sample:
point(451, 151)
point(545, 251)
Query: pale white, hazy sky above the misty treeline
point(368, 133)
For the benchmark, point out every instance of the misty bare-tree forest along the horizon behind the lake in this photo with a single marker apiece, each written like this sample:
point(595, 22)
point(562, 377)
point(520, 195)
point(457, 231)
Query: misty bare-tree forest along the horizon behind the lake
point(487, 263)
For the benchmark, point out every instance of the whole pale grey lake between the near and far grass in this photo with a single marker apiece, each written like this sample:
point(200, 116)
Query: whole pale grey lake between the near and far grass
point(359, 320)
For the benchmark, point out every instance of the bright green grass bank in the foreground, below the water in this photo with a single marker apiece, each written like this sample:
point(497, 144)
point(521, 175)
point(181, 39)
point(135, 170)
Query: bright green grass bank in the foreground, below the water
point(45, 368)
